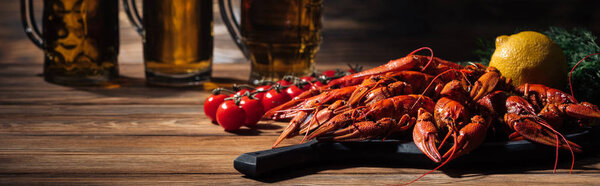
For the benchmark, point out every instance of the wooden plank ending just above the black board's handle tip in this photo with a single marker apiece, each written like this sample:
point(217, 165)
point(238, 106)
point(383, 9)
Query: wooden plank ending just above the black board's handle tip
point(142, 145)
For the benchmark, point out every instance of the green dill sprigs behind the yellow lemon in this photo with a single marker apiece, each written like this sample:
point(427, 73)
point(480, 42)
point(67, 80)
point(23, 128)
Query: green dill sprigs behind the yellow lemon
point(575, 44)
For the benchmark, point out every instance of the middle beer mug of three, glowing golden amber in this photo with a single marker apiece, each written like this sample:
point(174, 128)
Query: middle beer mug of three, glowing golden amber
point(177, 40)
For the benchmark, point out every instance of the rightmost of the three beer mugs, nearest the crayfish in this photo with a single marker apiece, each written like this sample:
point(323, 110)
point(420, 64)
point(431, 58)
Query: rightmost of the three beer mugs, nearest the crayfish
point(279, 37)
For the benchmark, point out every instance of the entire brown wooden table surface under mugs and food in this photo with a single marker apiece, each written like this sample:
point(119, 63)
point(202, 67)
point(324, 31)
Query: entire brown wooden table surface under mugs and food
point(134, 134)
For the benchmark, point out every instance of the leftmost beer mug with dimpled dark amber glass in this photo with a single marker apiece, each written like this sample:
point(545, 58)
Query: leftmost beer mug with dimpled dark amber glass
point(80, 39)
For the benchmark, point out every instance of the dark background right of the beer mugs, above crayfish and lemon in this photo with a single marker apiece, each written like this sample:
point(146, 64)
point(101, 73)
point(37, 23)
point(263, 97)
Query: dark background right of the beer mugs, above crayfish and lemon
point(451, 28)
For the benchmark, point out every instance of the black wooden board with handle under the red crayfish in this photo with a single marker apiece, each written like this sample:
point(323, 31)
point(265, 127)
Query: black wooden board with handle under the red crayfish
point(267, 162)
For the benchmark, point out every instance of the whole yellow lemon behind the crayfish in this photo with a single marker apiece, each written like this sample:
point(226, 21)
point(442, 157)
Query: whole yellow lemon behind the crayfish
point(530, 57)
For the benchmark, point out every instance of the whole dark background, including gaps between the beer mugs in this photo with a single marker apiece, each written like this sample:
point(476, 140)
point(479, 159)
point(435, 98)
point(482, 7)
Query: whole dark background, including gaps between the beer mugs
point(373, 31)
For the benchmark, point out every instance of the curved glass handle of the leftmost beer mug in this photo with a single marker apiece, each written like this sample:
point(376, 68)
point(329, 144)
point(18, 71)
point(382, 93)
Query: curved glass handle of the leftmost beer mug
point(29, 24)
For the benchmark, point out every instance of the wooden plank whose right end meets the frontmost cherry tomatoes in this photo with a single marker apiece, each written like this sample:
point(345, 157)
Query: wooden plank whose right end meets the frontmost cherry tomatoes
point(118, 120)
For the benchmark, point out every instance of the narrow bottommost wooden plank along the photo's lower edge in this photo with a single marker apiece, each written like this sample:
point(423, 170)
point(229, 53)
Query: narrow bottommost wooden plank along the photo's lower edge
point(313, 179)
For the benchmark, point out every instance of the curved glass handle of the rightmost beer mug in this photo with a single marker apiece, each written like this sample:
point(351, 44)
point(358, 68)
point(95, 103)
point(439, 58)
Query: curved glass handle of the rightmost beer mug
point(232, 25)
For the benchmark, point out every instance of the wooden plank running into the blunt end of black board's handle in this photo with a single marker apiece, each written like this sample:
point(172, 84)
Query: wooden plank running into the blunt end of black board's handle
point(116, 163)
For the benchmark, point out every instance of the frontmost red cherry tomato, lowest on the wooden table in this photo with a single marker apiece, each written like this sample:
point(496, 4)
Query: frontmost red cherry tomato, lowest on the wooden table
point(230, 116)
